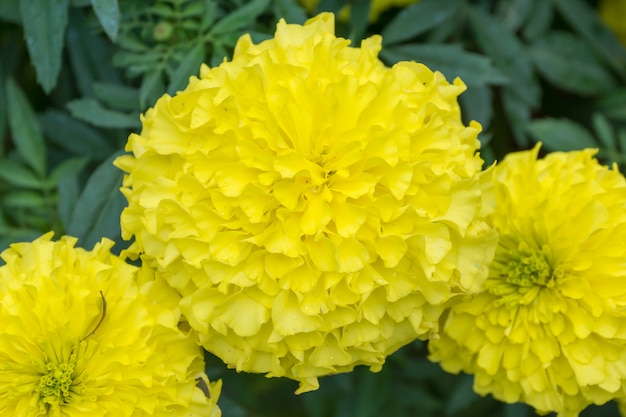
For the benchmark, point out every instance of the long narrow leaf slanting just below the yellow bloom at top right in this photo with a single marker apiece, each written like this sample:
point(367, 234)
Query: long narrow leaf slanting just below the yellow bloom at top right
point(584, 20)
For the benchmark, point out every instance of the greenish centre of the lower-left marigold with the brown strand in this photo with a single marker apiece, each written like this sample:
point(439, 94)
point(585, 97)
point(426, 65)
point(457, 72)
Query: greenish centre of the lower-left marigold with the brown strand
point(54, 386)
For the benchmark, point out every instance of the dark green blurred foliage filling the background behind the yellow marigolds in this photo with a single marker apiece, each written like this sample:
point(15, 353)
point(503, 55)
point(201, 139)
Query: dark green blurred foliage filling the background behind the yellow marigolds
point(75, 75)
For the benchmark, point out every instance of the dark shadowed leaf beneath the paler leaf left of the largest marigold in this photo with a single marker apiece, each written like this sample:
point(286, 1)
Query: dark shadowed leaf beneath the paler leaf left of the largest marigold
point(74, 136)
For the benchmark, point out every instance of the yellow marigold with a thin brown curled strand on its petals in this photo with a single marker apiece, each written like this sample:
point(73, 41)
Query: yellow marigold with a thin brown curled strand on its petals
point(81, 336)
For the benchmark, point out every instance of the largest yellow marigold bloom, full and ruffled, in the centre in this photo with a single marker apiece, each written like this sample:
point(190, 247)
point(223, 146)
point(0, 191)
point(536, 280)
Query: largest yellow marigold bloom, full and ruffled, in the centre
point(314, 208)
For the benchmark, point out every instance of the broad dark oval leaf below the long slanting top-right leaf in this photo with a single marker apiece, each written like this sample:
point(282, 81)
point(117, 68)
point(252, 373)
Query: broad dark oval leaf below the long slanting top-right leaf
point(567, 62)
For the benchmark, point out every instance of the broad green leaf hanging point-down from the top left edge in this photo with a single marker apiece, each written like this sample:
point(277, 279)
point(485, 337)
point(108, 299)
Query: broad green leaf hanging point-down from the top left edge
point(44, 24)
